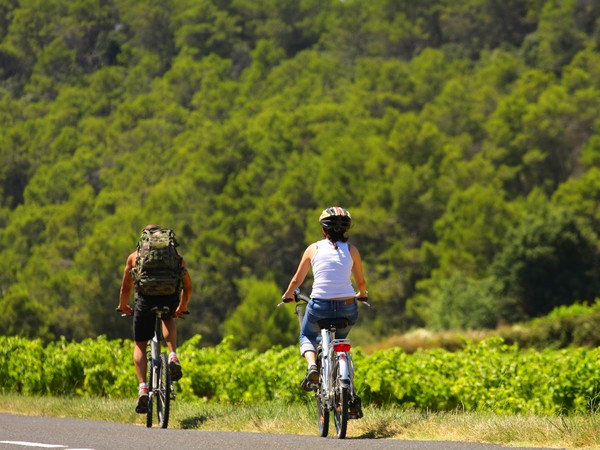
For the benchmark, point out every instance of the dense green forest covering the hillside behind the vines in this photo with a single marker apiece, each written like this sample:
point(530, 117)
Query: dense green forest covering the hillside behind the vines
point(463, 136)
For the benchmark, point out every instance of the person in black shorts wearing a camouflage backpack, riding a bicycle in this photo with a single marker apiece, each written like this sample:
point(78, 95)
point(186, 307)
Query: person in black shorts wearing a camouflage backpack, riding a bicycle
point(159, 277)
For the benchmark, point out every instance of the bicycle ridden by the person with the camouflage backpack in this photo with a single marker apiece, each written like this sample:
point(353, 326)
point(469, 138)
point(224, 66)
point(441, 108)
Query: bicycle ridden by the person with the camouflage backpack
point(160, 386)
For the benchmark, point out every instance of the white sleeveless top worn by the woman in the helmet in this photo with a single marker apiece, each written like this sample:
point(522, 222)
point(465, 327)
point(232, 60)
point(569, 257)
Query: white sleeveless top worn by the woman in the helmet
point(331, 271)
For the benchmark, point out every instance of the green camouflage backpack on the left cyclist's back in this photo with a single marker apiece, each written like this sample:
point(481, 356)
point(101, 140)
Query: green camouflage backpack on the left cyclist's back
point(158, 268)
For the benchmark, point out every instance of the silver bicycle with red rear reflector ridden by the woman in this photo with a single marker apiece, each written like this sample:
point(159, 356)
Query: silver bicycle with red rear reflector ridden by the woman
point(334, 391)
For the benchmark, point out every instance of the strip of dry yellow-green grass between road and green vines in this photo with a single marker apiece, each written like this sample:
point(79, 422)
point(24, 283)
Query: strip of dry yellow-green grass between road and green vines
point(578, 431)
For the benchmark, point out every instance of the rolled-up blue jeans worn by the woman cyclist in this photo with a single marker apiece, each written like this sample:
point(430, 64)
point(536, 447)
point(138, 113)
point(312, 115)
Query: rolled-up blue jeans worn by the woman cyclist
point(318, 309)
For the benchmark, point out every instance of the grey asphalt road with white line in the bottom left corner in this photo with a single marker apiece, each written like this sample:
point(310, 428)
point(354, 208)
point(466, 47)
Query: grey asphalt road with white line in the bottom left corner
point(27, 432)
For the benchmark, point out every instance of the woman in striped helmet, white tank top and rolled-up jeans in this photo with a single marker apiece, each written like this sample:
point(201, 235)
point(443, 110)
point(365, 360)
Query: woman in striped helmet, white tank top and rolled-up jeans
point(333, 260)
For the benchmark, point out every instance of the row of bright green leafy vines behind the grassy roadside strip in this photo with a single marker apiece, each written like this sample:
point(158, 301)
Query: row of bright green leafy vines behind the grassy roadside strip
point(487, 376)
